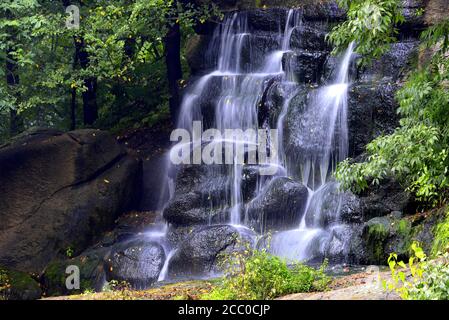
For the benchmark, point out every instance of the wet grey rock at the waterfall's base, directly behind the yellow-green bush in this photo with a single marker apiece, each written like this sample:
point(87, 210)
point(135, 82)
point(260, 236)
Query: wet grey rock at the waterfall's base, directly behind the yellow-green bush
point(200, 253)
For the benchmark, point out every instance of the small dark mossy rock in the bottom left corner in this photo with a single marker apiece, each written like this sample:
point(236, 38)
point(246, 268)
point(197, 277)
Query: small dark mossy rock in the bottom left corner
point(16, 285)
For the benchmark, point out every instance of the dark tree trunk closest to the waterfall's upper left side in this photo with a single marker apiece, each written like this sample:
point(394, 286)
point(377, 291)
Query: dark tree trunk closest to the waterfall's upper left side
point(174, 67)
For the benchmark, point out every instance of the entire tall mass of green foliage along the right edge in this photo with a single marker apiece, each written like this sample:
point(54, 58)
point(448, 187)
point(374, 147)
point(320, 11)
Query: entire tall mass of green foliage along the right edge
point(416, 153)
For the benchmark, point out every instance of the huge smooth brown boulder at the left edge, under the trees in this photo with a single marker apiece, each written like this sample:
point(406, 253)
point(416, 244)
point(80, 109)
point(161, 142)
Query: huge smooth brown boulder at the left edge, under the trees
point(59, 191)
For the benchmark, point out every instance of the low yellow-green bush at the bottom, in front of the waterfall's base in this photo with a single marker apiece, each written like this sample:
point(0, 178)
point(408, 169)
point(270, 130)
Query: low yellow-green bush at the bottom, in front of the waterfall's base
point(256, 274)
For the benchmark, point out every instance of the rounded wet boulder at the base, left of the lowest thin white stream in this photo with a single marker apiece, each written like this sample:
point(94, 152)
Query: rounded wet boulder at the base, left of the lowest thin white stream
point(137, 262)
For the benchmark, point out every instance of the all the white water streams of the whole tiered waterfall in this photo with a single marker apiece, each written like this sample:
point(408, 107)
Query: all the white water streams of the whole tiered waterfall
point(241, 84)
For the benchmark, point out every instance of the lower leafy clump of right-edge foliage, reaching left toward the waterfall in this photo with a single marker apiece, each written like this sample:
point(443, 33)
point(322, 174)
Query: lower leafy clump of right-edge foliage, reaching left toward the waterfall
point(414, 155)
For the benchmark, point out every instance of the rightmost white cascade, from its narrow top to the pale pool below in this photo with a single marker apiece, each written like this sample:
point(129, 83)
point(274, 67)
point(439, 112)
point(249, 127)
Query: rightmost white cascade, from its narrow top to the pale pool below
point(324, 135)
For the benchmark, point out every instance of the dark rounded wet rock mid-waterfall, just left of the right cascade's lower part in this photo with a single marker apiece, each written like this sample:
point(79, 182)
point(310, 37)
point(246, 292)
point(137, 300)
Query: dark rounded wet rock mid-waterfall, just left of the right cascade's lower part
point(279, 207)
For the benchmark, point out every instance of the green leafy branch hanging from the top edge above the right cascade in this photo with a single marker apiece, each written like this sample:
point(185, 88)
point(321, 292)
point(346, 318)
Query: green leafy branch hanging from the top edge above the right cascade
point(371, 24)
